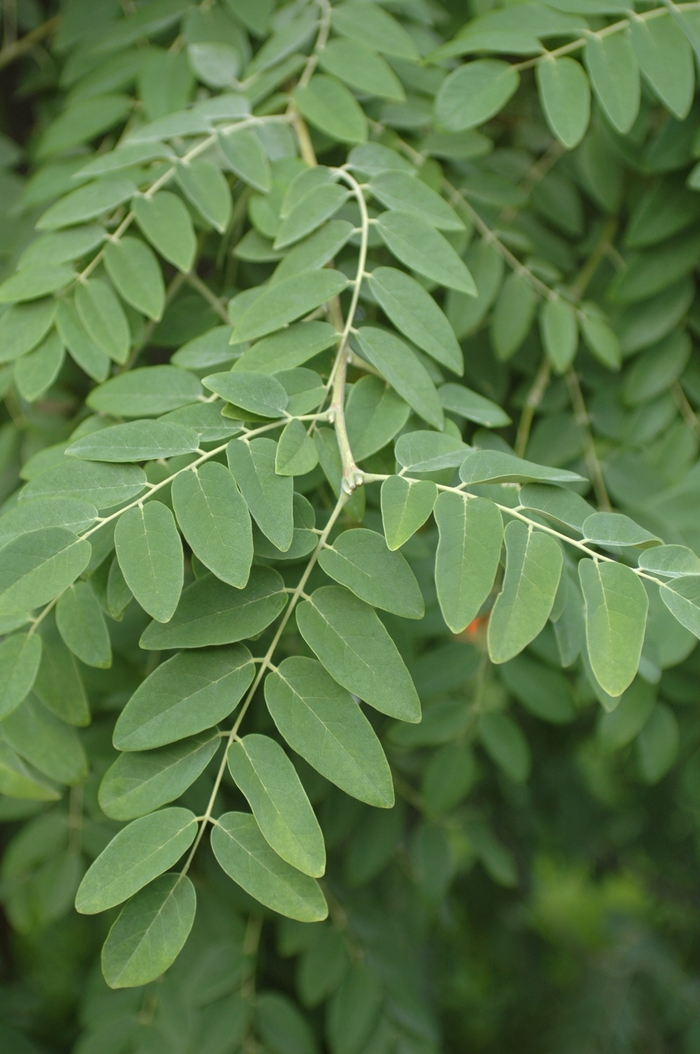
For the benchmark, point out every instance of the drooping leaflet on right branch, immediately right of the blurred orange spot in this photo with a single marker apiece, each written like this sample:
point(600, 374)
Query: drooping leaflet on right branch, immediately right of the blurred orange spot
point(534, 568)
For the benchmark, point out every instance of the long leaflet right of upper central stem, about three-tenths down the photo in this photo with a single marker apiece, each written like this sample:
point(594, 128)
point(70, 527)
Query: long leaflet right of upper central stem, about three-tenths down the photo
point(416, 315)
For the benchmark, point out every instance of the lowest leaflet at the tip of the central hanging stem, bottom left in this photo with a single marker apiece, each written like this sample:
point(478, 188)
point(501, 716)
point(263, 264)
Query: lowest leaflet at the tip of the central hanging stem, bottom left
point(150, 932)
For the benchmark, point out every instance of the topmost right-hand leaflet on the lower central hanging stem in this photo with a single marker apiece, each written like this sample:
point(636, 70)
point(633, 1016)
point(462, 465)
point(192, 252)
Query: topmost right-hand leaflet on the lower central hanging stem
point(360, 560)
